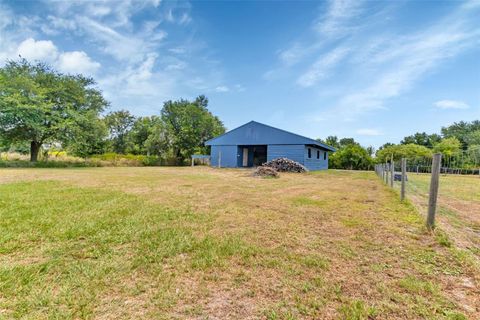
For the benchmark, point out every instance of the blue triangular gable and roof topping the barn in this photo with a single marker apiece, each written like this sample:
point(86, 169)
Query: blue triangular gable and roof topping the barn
point(255, 133)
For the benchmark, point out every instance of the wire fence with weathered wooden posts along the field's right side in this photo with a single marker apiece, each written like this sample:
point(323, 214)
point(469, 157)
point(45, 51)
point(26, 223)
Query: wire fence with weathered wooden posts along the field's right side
point(448, 189)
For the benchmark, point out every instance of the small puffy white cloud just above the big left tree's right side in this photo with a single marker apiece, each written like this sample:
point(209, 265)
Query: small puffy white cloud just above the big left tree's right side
point(77, 62)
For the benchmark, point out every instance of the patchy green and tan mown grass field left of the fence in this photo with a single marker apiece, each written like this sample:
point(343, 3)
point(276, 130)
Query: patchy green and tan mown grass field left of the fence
point(201, 243)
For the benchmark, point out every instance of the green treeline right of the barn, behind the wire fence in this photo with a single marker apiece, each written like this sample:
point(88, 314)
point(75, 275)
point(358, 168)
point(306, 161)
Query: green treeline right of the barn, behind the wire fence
point(460, 140)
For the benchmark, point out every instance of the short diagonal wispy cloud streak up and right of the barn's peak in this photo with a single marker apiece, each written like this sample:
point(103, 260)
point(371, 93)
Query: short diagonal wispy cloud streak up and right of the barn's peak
point(322, 67)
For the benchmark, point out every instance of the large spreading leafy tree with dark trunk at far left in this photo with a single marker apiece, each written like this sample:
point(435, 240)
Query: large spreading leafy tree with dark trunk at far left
point(40, 105)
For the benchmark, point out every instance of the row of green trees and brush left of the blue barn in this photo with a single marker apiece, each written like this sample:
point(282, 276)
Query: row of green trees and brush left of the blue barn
point(47, 115)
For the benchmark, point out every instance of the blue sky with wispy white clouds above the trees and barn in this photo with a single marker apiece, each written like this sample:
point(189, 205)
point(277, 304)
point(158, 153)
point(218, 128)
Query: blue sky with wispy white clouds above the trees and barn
point(372, 70)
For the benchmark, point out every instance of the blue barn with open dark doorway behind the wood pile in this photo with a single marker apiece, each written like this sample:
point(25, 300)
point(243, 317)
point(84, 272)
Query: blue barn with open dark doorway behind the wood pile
point(255, 143)
